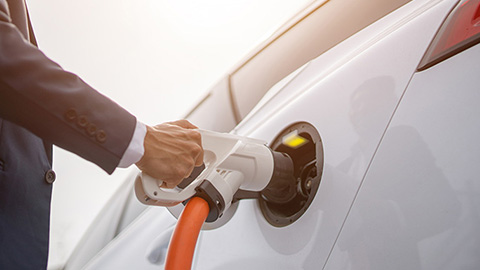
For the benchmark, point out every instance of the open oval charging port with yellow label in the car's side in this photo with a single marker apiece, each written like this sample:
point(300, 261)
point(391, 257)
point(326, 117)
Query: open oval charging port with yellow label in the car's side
point(285, 199)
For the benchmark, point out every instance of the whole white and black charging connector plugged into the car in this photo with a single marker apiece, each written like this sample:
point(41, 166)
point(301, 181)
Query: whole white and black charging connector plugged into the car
point(232, 163)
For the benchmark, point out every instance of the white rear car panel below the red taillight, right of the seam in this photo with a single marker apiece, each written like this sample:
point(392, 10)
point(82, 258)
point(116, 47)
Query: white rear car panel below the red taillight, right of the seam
point(418, 207)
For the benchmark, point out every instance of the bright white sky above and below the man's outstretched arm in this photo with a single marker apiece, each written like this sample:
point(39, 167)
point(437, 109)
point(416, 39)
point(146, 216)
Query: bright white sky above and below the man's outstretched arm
point(156, 58)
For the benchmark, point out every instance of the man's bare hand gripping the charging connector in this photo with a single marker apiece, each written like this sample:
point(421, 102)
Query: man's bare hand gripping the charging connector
point(172, 150)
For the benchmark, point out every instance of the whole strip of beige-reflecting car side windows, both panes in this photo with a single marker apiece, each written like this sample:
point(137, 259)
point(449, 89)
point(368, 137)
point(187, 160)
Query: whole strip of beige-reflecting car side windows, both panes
point(317, 28)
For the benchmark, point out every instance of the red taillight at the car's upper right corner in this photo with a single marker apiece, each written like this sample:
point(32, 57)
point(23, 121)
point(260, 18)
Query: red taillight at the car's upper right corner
point(460, 31)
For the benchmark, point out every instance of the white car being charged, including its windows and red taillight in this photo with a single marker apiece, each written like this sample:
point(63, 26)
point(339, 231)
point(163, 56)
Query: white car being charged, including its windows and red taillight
point(387, 93)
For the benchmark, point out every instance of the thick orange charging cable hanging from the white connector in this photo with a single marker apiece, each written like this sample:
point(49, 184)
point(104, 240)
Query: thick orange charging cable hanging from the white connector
point(184, 239)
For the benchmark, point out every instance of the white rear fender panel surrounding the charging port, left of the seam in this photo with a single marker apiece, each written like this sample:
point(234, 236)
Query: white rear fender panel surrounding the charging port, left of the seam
point(351, 107)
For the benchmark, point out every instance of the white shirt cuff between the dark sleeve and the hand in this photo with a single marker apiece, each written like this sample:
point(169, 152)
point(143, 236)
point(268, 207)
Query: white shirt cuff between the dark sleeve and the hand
point(135, 149)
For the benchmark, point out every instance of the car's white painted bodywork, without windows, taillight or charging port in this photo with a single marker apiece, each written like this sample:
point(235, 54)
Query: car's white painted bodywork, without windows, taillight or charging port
point(399, 188)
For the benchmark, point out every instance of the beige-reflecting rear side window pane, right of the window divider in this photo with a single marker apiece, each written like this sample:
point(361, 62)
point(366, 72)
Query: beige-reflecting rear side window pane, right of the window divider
point(319, 30)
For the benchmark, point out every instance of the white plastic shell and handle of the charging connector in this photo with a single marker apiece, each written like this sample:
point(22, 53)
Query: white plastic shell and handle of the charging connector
point(246, 162)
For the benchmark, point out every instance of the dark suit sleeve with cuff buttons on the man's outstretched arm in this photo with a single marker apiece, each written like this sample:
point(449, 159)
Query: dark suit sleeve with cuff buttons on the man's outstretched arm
point(37, 94)
